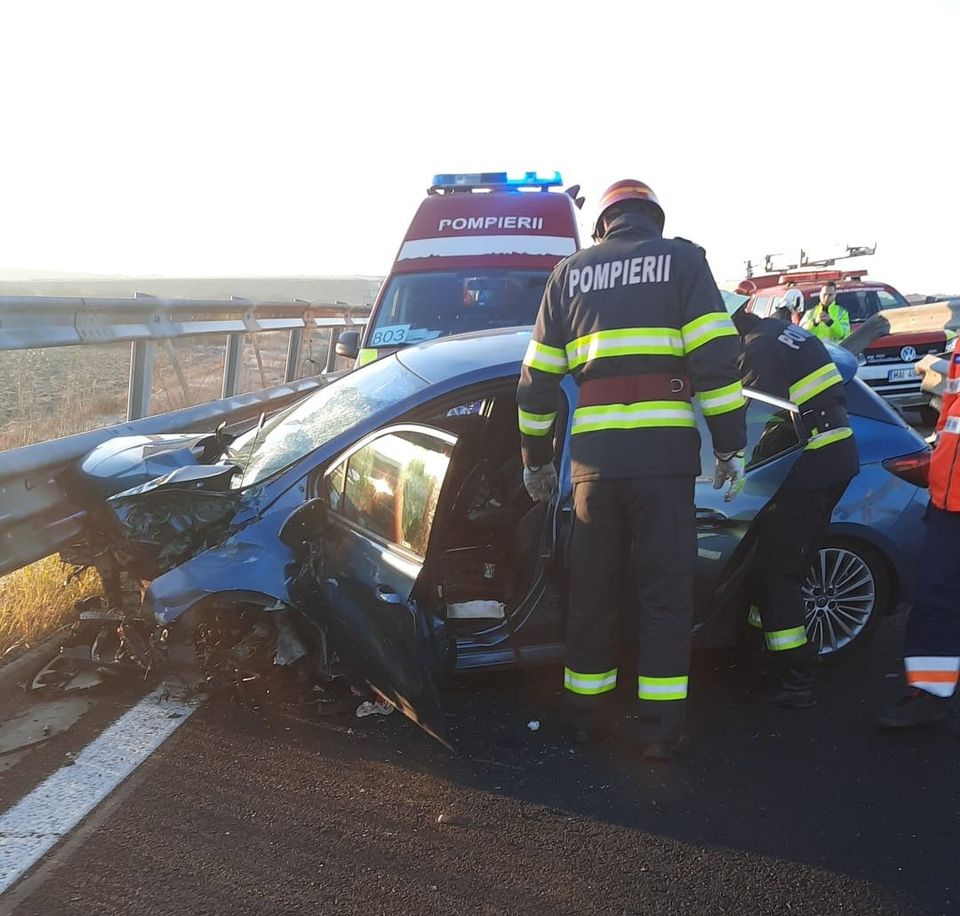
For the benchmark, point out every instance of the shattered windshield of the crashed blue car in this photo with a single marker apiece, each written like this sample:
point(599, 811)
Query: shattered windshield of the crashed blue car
point(323, 416)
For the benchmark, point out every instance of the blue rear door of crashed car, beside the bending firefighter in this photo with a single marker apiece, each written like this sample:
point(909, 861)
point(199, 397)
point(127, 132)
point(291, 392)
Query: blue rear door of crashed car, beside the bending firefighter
point(775, 441)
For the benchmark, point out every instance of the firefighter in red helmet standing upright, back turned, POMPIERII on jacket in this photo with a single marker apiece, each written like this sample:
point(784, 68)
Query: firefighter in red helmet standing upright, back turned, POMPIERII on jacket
point(639, 323)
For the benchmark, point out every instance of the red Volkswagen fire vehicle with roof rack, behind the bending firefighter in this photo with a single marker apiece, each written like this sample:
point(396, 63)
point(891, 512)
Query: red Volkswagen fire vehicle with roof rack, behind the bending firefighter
point(888, 365)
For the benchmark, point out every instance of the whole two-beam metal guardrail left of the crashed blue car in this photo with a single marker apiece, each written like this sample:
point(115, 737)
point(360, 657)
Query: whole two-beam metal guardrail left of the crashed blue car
point(37, 515)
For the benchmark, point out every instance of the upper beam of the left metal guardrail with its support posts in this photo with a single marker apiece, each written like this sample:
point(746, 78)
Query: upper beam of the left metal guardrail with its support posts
point(28, 322)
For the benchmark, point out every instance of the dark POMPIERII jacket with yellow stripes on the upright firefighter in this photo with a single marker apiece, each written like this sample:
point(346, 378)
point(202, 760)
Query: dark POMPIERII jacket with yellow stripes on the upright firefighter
point(637, 320)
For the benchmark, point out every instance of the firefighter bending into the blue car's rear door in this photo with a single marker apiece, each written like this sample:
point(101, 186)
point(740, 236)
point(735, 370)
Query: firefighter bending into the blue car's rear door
point(787, 361)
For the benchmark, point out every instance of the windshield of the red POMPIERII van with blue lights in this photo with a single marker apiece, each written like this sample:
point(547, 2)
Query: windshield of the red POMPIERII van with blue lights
point(423, 306)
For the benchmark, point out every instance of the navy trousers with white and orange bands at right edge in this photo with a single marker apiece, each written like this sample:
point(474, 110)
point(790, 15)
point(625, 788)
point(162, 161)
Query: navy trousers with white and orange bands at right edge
point(931, 645)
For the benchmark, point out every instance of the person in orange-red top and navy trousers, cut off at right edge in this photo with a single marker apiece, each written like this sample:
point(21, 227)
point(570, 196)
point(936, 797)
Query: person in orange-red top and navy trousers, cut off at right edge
point(931, 645)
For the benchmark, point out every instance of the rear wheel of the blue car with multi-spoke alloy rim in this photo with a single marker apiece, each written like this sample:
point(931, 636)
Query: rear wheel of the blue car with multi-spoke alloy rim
point(846, 594)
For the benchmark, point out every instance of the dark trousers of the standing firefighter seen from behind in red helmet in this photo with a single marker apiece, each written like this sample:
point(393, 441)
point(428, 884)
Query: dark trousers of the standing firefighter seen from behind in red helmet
point(634, 548)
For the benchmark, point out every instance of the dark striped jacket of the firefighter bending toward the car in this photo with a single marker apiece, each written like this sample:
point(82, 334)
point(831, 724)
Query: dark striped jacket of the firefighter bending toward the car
point(789, 362)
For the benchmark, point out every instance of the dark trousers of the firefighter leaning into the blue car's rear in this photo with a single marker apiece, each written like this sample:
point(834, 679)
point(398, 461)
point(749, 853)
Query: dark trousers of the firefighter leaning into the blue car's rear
point(788, 532)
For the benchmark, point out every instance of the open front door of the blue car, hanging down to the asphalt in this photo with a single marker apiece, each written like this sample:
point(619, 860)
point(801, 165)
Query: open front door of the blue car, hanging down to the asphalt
point(379, 503)
